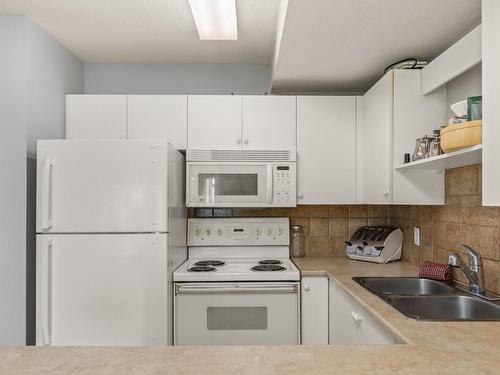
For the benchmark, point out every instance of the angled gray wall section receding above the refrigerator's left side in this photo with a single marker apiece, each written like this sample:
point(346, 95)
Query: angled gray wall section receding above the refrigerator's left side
point(52, 72)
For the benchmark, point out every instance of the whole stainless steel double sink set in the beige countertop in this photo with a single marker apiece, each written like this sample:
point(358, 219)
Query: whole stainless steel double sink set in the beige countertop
point(425, 299)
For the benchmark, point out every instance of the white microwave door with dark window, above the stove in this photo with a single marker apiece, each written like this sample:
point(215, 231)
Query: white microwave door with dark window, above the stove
point(229, 184)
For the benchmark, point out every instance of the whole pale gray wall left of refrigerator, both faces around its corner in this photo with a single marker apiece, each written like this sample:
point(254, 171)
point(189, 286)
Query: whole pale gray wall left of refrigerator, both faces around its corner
point(35, 73)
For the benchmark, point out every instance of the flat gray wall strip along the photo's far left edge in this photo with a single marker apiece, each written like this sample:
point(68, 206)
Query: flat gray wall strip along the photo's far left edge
point(13, 179)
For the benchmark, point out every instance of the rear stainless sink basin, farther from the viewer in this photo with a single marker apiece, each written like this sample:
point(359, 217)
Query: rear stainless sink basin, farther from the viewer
point(383, 286)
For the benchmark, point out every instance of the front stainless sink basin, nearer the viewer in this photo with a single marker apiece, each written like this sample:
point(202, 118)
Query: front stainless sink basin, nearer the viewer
point(445, 307)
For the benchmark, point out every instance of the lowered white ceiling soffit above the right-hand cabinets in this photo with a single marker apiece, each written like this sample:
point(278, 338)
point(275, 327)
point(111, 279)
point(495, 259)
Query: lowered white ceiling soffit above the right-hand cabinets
point(344, 45)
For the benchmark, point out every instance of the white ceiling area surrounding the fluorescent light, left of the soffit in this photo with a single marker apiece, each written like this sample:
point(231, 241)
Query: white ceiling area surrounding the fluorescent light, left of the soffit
point(149, 31)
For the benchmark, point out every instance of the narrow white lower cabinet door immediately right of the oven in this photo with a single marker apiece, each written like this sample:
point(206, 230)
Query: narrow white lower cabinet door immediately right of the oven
point(314, 311)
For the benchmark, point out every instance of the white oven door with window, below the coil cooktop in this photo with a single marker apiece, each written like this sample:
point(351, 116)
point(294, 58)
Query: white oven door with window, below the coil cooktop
point(236, 314)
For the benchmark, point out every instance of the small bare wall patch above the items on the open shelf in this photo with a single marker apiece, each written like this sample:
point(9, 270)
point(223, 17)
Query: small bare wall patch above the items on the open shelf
point(465, 85)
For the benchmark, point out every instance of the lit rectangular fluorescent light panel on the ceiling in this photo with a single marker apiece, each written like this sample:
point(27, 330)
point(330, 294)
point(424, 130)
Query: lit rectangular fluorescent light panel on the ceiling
point(215, 19)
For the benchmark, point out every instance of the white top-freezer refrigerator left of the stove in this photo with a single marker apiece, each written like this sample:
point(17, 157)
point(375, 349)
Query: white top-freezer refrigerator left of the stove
point(111, 224)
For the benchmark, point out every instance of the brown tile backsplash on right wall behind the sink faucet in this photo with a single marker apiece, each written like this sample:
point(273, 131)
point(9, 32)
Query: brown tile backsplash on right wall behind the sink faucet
point(461, 220)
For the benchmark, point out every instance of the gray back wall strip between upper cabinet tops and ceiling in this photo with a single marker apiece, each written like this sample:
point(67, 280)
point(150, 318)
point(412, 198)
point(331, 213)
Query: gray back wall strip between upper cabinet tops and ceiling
point(177, 78)
